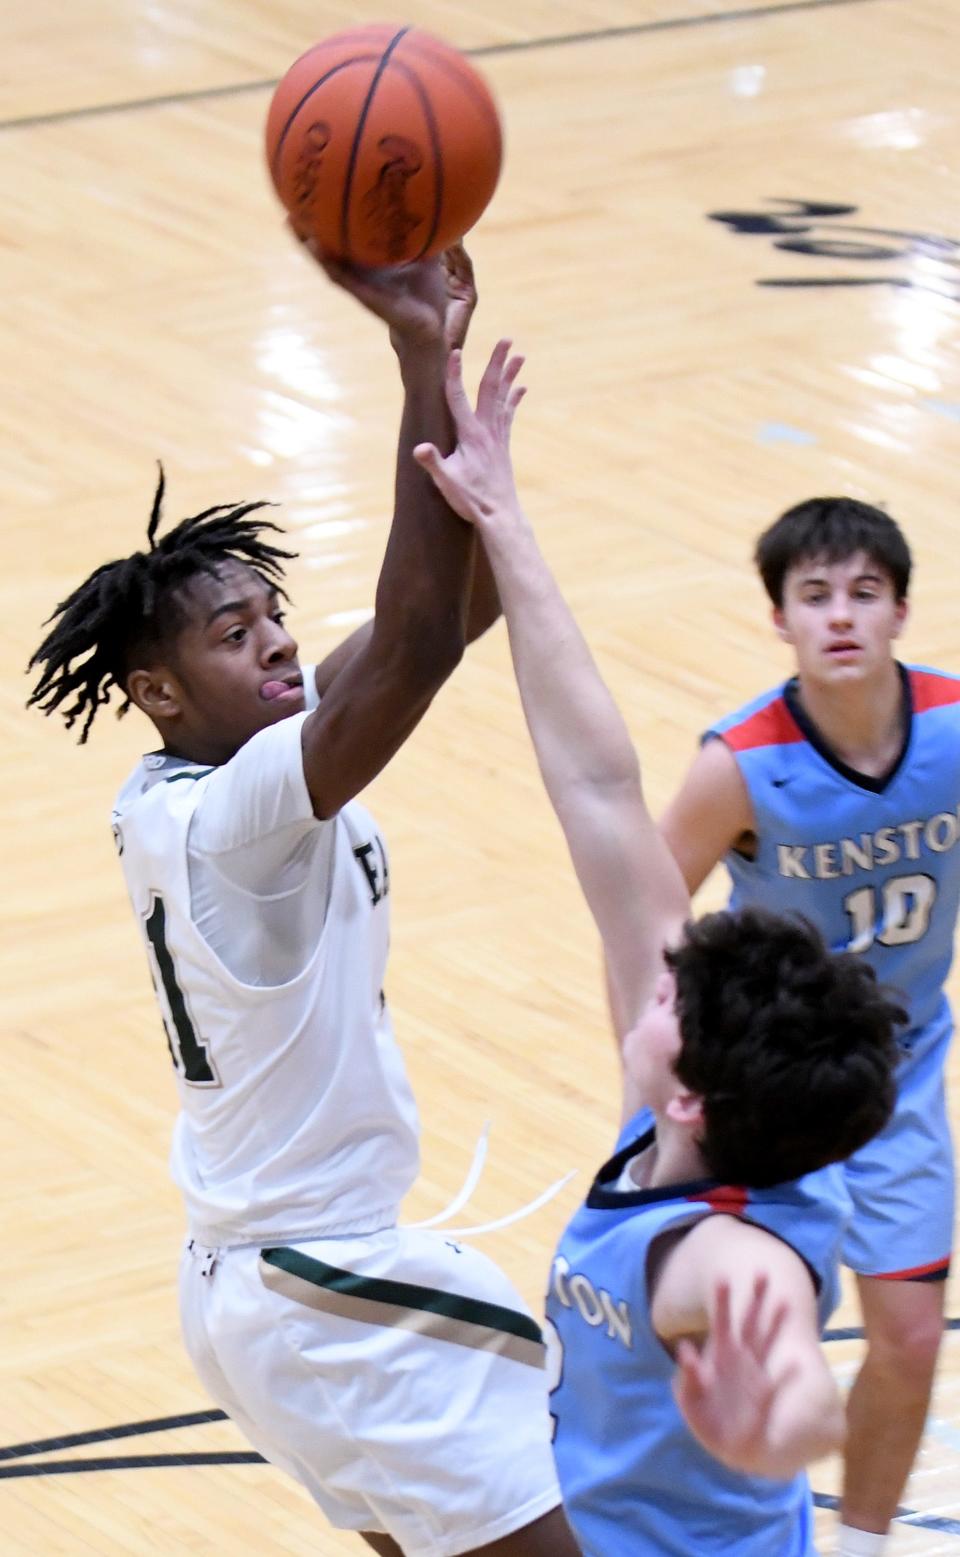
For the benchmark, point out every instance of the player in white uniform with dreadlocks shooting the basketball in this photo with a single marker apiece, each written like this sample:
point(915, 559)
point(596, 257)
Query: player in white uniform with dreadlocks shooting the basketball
point(398, 1376)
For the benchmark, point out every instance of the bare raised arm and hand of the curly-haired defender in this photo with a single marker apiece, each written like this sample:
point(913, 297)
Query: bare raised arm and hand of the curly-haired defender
point(589, 765)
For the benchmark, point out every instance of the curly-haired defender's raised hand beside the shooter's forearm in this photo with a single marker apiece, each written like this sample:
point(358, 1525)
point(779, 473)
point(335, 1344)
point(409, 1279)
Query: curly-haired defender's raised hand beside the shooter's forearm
point(478, 477)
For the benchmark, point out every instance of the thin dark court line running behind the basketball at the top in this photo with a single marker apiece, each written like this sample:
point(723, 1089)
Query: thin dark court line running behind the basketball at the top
point(486, 52)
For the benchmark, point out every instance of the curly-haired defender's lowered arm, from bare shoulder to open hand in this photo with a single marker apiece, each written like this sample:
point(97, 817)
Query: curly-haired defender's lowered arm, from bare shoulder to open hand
point(752, 1382)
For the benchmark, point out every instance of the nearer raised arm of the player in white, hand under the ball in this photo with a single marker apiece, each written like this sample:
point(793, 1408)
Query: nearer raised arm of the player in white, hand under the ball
point(379, 694)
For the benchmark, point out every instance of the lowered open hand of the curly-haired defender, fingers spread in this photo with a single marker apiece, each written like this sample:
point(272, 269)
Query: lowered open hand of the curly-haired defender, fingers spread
point(727, 1391)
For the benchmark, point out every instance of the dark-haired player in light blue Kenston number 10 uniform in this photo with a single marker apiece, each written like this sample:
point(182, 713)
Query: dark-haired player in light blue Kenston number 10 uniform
point(838, 796)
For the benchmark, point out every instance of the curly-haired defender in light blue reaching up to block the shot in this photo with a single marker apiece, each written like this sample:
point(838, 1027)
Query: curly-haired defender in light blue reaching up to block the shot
point(692, 1388)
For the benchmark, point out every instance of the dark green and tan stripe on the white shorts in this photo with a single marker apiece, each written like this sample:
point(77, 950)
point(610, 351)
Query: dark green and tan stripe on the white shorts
point(427, 1310)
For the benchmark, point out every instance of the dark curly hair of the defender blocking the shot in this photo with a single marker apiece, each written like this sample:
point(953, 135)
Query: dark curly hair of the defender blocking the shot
point(791, 1047)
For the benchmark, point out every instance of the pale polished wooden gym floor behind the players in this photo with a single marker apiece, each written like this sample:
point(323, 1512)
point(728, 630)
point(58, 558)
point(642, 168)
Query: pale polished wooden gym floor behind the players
point(693, 365)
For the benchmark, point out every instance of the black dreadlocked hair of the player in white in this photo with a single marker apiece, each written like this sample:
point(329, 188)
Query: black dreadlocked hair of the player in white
point(130, 605)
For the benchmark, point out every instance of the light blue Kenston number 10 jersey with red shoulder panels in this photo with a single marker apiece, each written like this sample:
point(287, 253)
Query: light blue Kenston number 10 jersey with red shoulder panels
point(874, 863)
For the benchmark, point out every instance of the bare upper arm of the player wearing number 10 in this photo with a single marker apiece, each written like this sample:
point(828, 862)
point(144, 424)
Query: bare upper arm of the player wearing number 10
point(710, 815)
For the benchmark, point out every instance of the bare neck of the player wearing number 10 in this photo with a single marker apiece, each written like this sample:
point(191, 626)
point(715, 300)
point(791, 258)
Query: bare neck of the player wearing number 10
point(861, 723)
